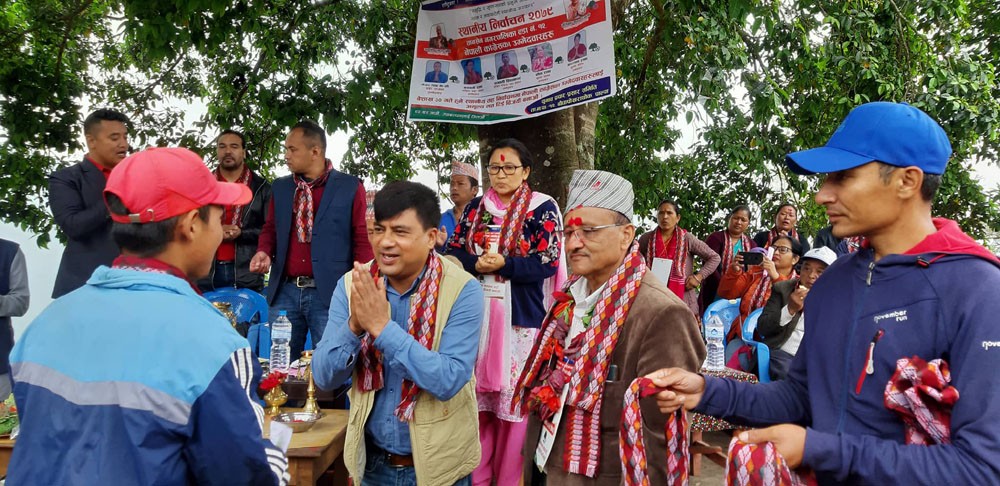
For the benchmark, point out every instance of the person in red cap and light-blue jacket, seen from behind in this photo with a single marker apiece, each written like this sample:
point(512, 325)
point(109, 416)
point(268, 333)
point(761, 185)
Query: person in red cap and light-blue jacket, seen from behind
point(134, 378)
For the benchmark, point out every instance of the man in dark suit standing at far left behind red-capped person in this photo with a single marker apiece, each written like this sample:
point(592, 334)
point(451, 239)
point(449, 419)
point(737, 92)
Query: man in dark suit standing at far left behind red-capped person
point(76, 196)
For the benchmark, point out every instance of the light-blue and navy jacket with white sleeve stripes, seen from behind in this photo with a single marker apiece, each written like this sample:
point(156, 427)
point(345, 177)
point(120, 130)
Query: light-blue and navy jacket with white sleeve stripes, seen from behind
point(136, 379)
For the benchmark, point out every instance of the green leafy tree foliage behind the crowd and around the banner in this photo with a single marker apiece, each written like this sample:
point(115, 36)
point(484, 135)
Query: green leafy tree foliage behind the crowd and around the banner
point(753, 79)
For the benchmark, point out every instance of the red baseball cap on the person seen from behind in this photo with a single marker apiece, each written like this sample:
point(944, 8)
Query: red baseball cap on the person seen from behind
point(162, 182)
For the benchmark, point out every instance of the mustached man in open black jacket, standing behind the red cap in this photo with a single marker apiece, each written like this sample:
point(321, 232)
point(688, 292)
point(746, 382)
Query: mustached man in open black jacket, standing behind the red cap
point(241, 224)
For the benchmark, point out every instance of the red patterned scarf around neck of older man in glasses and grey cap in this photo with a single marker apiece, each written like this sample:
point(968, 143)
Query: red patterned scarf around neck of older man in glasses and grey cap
point(586, 363)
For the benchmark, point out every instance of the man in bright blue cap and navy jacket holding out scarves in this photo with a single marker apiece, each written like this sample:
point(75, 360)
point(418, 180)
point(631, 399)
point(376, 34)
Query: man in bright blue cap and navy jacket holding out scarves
point(918, 288)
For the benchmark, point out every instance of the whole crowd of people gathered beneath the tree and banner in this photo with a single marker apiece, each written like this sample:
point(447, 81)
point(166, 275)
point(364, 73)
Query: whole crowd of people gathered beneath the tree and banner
point(499, 341)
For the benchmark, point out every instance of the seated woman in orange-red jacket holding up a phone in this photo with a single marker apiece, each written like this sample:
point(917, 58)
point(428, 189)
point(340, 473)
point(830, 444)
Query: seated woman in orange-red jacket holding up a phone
point(753, 285)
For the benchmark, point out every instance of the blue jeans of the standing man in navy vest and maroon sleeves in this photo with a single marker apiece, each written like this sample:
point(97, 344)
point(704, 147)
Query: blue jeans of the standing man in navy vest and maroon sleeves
point(305, 311)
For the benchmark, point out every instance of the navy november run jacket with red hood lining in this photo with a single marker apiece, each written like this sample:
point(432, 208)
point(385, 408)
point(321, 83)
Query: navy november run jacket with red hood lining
point(937, 301)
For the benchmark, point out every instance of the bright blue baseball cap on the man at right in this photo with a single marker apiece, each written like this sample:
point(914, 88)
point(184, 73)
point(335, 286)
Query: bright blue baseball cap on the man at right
point(894, 133)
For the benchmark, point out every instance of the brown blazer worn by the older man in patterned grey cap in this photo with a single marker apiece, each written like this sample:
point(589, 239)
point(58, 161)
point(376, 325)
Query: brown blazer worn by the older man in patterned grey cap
point(659, 332)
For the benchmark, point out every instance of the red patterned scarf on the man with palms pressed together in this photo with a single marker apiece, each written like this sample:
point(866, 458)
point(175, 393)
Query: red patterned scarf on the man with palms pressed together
point(423, 316)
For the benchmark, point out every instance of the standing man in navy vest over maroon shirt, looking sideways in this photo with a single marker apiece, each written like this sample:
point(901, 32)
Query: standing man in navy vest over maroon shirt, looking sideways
point(314, 232)
